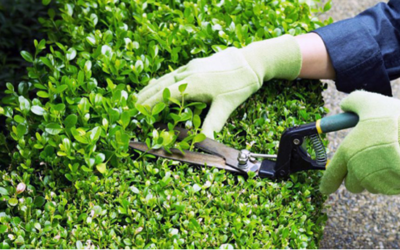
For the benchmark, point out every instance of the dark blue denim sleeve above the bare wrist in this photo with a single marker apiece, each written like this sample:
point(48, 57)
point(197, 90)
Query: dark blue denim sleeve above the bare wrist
point(365, 50)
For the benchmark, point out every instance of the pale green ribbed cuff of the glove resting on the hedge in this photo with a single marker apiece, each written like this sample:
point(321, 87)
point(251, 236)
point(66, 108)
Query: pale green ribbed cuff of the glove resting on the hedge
point(274, 58)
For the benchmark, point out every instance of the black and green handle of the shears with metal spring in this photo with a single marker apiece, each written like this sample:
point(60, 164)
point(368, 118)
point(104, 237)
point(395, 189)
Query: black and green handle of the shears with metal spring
point(292, 157)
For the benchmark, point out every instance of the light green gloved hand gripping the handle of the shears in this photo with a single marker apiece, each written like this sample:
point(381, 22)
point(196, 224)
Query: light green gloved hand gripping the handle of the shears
point(369, 157)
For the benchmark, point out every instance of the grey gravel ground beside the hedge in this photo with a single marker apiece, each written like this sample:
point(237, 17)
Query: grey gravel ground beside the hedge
point(357, 220)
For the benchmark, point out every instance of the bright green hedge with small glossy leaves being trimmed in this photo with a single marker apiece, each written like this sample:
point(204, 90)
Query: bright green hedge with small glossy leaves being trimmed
point(68, 177)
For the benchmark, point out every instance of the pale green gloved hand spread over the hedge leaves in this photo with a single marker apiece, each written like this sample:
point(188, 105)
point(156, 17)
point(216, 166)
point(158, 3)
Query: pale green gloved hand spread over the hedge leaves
point(228, 78)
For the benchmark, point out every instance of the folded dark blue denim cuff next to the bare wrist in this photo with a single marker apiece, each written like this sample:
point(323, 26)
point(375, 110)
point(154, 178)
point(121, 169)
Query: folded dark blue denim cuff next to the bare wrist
point(356, 57)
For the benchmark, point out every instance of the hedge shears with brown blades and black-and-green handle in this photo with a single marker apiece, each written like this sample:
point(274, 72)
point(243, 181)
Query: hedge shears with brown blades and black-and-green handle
point(292, 156)
